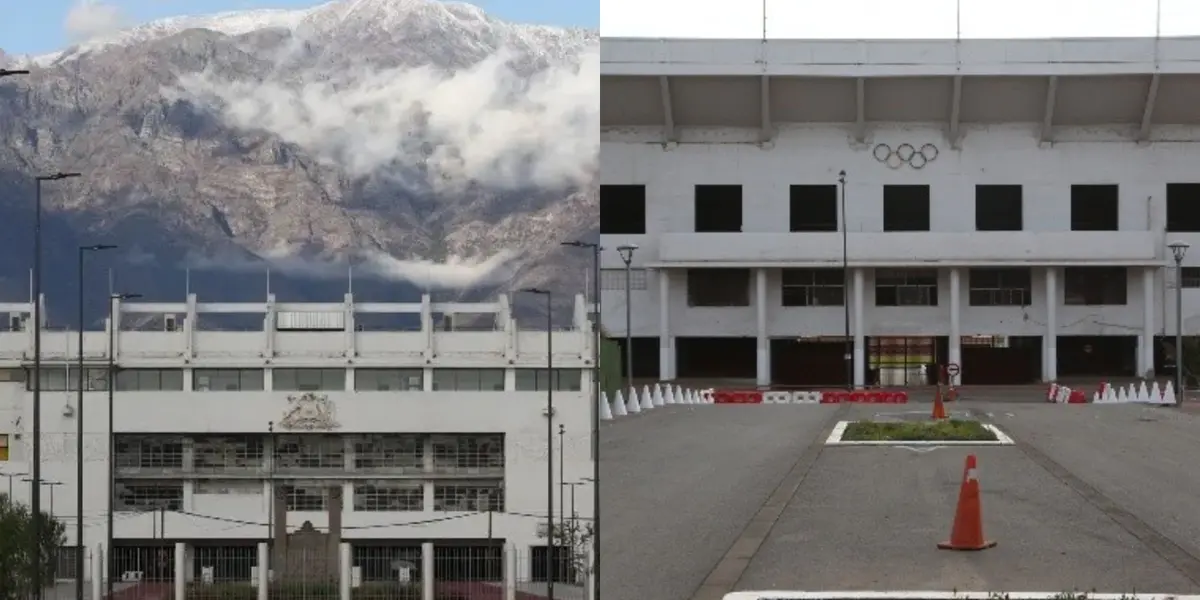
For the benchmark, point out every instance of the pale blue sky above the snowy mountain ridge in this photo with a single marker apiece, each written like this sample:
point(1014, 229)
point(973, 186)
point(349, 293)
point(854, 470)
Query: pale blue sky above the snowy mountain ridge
point(34, 27)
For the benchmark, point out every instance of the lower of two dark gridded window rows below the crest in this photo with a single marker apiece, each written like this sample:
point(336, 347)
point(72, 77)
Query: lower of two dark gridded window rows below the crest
point(381, 496)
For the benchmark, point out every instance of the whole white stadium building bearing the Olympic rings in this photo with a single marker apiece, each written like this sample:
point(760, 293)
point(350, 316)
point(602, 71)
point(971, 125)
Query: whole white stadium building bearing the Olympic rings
point(1007, 207)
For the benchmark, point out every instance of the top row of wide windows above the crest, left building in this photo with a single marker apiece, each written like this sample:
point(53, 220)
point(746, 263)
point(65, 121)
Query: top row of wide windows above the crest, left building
point(304, 380)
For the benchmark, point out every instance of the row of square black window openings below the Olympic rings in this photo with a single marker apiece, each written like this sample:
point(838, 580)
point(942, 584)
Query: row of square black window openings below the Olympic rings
point(907, 208)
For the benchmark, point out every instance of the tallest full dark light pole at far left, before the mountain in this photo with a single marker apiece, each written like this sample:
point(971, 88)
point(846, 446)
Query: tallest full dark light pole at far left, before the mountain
point(37, 493)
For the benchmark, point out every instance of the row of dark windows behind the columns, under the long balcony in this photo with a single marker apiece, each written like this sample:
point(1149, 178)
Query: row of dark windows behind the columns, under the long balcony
point(1083, 286)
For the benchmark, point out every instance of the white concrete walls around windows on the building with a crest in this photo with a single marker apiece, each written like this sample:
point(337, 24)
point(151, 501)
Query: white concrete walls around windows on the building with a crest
point(190, 411)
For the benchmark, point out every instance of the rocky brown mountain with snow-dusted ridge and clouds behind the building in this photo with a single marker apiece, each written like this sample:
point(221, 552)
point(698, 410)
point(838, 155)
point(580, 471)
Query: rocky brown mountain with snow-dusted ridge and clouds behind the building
point(425, 143)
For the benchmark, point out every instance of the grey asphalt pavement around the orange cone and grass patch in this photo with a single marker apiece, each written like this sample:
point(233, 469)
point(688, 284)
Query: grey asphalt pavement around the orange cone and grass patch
point(1094, 497)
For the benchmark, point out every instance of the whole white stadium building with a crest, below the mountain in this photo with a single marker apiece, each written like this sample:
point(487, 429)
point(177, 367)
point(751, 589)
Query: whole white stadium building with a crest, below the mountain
point(382, 439)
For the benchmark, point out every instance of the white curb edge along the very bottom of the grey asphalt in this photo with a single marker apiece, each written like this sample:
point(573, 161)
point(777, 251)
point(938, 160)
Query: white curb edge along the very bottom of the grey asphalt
point(947, 596)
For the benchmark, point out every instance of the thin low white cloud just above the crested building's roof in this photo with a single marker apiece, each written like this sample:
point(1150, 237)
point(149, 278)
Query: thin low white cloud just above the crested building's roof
point(453, 274)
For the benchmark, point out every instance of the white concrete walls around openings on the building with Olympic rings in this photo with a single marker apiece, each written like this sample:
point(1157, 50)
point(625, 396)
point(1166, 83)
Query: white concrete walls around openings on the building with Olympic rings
point(766, 116)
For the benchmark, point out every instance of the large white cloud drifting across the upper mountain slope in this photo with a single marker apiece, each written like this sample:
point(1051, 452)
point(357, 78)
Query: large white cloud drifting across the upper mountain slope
point(487, 124)
